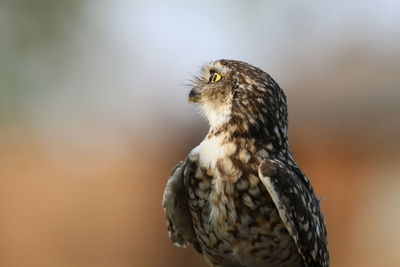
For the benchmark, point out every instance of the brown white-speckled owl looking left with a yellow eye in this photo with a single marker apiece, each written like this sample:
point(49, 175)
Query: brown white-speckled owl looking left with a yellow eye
point(239, 197)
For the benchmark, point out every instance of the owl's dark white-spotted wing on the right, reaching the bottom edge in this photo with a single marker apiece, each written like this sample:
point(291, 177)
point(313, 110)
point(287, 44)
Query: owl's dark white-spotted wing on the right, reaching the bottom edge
point(299, 210)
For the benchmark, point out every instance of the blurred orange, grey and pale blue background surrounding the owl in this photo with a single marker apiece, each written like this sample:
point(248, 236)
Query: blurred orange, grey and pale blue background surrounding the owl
point(93, 115)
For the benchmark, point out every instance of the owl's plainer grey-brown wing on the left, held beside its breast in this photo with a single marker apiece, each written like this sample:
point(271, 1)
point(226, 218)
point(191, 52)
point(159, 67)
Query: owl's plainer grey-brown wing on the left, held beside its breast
point(176, 209)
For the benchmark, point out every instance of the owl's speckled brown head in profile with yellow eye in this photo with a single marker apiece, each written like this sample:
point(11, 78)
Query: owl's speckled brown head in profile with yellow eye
point(240, 96)
